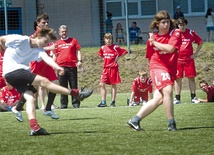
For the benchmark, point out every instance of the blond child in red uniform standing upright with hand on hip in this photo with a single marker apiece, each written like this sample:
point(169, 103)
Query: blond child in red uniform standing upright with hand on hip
point(110, 54)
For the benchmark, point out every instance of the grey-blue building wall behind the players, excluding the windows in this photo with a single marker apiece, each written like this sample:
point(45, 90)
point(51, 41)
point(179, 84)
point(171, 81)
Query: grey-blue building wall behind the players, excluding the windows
point(82, 18)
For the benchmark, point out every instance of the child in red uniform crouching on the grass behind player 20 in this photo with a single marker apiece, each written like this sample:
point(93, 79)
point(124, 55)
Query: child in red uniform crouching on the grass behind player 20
point(141, 86)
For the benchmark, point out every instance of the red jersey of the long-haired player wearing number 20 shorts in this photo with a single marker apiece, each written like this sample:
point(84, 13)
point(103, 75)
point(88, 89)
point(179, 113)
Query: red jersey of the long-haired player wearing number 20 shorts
point(167, 61)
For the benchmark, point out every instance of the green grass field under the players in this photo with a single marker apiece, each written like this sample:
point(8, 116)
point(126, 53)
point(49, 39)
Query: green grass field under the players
point(103, 131)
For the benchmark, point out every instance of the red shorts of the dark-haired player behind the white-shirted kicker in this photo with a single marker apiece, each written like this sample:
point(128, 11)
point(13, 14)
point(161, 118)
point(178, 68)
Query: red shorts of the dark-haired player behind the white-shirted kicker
point(42, 69)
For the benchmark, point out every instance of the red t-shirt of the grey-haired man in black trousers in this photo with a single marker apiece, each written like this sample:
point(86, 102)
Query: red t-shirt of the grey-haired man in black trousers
point(66, 52)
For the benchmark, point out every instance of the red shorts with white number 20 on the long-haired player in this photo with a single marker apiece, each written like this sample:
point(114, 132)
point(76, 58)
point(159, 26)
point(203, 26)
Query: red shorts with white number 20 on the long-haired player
point(161, 78)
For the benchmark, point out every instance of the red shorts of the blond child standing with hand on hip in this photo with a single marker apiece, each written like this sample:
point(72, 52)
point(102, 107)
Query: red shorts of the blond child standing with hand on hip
point(110, 76)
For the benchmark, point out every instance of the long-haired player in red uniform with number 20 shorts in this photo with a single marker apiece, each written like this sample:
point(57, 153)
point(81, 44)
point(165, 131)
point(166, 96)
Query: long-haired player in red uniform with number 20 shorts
point(162, 53)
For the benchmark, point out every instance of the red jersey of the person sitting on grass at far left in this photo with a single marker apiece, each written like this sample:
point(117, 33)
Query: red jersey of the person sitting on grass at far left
point(12, 95)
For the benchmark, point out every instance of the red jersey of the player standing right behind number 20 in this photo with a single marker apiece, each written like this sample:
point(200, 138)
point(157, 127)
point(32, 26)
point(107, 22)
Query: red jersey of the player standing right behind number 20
point(186, 49)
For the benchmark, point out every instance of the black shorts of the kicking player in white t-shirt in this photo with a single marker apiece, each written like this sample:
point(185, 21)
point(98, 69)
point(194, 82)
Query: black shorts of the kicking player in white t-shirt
point(21, 80)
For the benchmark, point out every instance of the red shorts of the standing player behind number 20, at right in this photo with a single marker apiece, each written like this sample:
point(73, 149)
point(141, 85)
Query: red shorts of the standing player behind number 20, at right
point(188, 69)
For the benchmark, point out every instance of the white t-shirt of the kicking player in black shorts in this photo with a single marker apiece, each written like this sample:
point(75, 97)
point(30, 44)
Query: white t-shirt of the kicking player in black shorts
point(19, 54)
